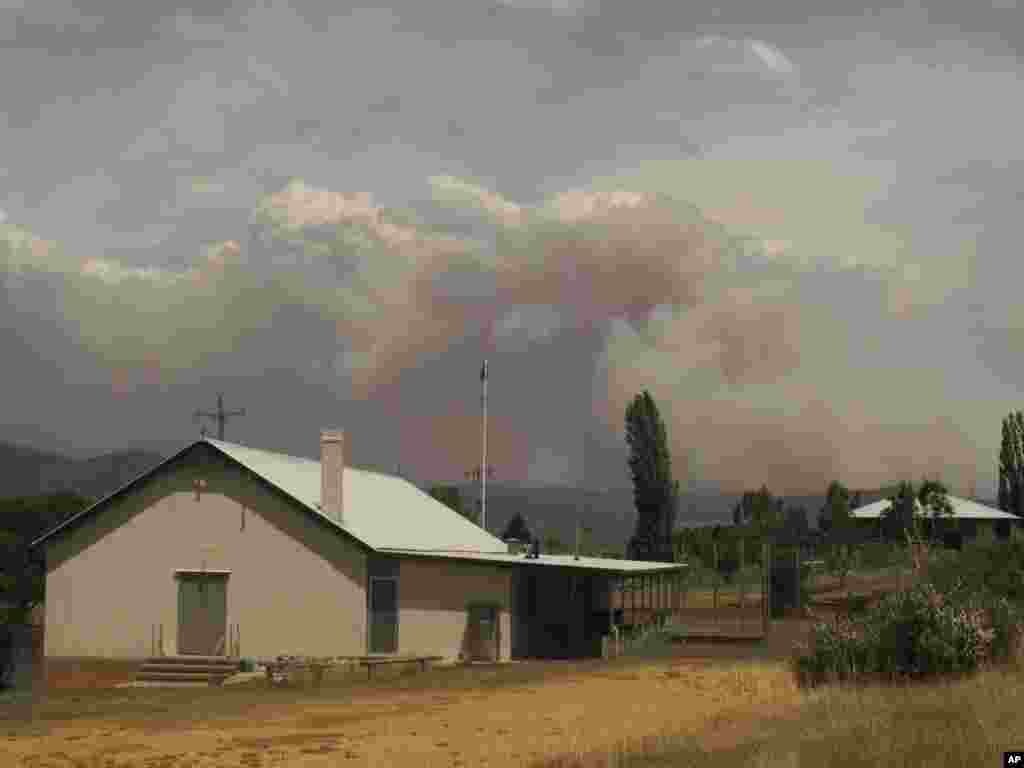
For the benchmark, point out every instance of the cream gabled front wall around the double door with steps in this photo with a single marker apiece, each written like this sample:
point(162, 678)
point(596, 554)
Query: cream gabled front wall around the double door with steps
point(295, 587)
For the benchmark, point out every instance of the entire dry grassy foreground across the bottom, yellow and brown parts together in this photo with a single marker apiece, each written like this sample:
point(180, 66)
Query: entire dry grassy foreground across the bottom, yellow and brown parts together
point(629, 713)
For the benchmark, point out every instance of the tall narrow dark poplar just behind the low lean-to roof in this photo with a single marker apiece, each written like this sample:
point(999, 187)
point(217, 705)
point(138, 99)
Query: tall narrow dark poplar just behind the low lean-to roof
point(656, 495)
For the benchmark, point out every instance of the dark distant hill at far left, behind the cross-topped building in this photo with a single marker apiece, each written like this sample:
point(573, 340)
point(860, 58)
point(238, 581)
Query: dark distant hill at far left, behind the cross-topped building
point(26, 472)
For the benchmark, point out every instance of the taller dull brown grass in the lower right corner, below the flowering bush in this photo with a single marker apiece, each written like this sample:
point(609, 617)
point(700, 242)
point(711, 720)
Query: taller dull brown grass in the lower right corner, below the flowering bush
point(951, 724)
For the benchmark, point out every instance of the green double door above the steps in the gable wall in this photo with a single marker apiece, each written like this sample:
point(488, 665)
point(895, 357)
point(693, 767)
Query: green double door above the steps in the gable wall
point(202, 615)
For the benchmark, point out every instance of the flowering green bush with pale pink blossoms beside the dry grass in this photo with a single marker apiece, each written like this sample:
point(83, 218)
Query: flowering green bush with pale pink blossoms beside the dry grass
point(916, 633)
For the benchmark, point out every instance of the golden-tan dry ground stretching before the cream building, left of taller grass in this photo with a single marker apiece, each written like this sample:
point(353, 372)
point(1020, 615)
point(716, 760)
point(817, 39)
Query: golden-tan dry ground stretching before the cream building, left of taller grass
point(507, 727)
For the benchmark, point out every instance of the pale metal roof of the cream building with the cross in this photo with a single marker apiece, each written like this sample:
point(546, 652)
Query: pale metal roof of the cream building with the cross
point(383, 513)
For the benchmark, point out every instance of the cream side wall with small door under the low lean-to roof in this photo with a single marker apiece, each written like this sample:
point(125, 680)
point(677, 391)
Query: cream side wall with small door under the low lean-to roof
point(433, 602)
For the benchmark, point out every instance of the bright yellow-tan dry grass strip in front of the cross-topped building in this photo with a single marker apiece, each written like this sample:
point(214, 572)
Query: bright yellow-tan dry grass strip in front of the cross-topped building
point(507, 716)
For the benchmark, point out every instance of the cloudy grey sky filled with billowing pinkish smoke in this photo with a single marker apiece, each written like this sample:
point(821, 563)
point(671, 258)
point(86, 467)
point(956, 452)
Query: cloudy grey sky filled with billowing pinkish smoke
point(796, 224)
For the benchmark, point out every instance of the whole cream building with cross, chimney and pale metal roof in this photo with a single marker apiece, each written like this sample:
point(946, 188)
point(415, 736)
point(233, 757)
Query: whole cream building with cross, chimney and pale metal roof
point(228, 550)
